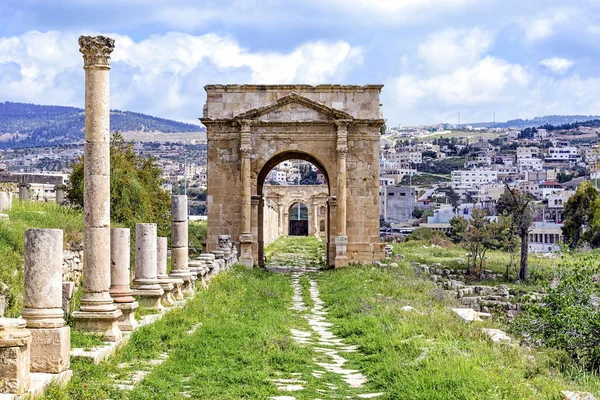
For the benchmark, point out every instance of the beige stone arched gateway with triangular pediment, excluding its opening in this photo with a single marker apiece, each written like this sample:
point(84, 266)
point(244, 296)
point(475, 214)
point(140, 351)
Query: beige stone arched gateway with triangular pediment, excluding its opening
point(252, 128)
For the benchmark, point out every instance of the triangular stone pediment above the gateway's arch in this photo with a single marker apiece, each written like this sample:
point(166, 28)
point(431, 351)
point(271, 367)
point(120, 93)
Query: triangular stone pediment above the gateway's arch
point(294, 107)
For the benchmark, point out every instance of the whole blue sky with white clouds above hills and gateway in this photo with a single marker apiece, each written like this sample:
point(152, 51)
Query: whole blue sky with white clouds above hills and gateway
point(517, 58)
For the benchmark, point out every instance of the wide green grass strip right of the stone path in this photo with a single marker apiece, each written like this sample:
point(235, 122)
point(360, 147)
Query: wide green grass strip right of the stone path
point(432, 354)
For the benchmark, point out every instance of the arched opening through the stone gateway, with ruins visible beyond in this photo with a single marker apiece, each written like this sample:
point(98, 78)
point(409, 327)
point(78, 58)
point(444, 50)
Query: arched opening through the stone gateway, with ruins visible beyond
point(293, 211)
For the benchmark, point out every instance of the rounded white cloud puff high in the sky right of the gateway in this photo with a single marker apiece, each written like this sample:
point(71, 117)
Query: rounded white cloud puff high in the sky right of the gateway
point(449, 49)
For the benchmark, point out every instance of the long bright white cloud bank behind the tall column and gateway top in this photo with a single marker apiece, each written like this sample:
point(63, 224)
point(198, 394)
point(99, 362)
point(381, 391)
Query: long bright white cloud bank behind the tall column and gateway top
point(164, 74)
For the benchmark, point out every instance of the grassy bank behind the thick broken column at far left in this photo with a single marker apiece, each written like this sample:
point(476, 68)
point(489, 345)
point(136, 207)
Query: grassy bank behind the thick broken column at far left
point(23, 216)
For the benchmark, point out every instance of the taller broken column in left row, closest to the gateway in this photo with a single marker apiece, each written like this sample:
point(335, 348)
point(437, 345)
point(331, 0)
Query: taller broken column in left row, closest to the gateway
point(179, 244)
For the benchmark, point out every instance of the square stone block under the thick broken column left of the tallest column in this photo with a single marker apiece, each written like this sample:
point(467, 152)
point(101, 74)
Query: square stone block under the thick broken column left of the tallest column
point(50, 349)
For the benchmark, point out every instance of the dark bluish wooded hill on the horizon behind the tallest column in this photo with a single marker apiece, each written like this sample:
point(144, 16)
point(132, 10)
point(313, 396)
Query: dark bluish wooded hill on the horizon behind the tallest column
point(30, 125)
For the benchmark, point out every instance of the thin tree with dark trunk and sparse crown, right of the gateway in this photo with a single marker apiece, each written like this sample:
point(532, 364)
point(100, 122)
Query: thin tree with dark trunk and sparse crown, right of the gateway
point(520, 206)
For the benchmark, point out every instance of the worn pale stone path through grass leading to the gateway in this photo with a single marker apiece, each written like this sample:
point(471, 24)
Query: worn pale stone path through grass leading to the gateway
point(329, 349)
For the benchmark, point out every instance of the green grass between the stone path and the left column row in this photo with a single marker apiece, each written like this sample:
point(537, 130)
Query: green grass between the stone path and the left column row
point(244, 341)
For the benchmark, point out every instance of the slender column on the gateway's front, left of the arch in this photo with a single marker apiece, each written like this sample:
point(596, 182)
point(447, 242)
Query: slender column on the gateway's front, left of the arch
point(246, 238)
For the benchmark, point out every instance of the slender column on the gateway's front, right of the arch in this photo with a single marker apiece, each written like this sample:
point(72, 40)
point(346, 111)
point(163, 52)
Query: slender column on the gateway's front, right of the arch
point(341, 237)
